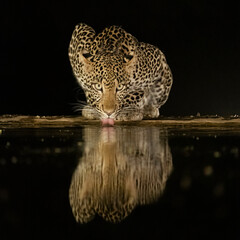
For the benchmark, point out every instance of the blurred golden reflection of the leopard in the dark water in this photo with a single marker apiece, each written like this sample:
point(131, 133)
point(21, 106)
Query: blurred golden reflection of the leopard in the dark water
point(120, 168)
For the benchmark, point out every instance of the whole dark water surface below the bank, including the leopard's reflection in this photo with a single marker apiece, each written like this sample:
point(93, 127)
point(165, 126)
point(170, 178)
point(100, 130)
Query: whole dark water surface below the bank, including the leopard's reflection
point(119, 183)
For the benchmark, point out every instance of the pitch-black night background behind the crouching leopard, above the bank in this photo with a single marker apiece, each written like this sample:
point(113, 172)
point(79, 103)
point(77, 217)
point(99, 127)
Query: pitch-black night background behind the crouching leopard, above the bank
point(199, 38)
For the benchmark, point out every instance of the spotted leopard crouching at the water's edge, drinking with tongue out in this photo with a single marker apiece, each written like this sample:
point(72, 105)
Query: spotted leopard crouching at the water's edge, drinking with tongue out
point(122, 78)
